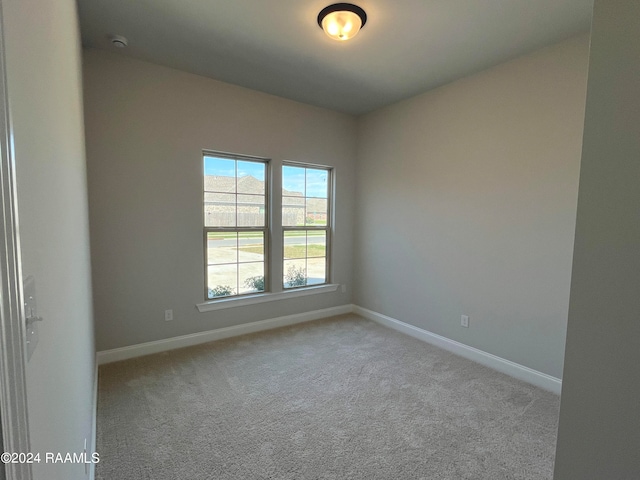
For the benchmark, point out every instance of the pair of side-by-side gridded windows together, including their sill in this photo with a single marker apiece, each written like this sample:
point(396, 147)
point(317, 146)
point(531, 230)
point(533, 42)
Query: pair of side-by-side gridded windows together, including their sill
point(237, 228)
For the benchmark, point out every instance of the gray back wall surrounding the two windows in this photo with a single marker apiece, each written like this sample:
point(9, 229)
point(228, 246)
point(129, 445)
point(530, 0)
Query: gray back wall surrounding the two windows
point(146, 126)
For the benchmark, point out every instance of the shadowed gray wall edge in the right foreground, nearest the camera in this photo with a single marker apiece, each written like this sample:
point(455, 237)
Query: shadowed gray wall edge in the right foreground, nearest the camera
point(599, 433)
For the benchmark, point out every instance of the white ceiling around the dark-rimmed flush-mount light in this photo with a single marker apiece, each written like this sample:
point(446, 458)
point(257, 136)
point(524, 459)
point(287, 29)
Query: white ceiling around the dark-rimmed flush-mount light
point(276, 46)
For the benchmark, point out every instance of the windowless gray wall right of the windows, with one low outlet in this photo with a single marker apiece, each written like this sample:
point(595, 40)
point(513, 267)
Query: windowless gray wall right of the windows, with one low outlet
point(466, 202)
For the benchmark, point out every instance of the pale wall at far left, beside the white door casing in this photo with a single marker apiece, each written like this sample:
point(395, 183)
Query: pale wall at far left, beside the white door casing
point(45, 94)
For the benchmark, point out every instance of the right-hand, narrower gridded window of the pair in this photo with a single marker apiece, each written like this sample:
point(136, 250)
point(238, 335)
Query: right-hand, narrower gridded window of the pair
point(305, 225)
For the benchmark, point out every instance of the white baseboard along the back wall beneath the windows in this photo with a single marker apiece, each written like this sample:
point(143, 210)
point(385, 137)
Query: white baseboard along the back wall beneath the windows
point(124, 353)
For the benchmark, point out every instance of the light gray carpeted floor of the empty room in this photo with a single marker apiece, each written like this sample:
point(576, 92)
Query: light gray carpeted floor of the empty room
point(341, 398)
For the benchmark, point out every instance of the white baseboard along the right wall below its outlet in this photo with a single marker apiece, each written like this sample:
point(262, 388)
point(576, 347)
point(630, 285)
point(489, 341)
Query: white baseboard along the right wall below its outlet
point(507, 367)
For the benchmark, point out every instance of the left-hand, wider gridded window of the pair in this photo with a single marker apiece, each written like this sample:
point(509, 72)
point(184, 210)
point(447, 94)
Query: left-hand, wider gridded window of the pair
point(235, 225)
